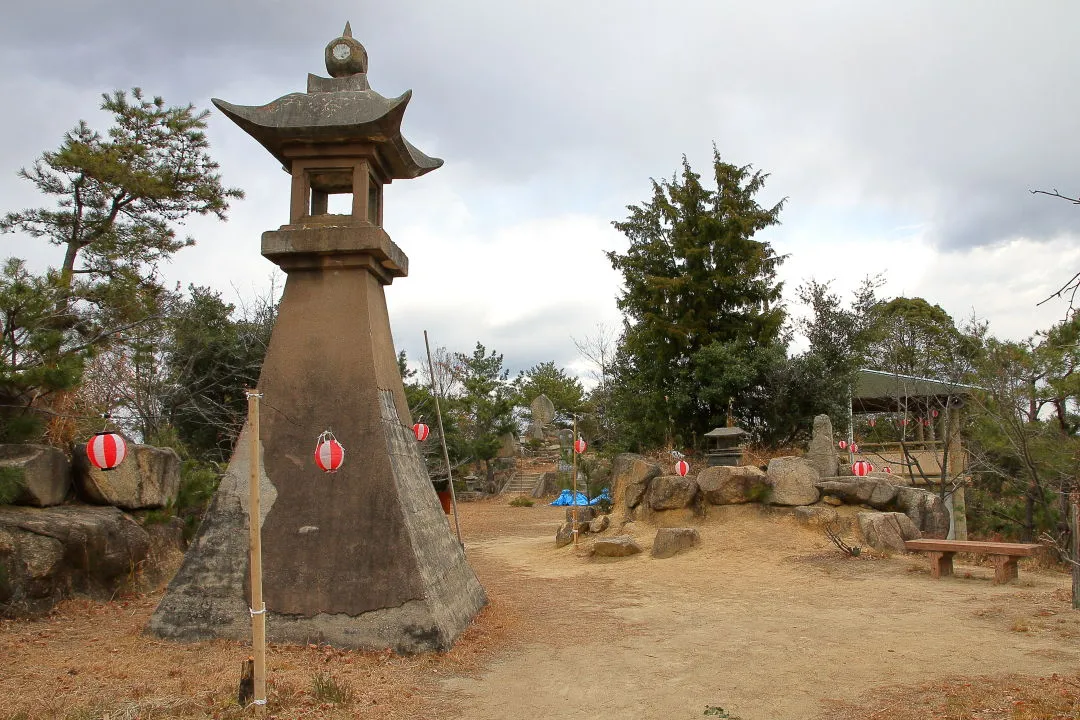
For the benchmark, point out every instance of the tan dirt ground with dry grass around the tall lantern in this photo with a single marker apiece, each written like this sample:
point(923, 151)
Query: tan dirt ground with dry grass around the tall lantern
point(764, 619)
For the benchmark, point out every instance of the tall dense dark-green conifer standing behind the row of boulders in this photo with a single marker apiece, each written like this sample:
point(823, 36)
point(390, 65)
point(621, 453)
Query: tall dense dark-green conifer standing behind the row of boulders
point(700, 290)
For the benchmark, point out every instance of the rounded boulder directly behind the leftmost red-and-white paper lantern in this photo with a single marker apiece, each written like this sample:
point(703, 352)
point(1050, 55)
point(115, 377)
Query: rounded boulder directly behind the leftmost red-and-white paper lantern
point(150, 478)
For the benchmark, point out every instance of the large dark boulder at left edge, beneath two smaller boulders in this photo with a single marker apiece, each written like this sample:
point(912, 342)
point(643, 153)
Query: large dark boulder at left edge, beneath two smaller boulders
point(48, 554)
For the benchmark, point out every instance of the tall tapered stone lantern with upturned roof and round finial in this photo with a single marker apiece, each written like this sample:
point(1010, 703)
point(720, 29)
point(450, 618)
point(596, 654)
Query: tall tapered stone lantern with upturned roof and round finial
point(362, 558)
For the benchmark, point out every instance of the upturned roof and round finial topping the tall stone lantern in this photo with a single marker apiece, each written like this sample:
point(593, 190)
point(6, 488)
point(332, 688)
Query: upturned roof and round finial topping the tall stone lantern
point(335, 112)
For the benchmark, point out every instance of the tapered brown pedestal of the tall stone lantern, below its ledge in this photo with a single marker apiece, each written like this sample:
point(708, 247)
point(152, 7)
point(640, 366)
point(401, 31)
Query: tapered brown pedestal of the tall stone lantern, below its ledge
point(359, 559)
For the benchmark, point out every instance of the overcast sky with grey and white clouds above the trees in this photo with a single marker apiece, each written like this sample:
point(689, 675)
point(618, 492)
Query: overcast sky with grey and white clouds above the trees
point(907, 138)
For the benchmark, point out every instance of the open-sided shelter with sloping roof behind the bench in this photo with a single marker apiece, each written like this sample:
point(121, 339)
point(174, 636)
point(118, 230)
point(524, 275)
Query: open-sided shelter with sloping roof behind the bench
point(926, 415)
